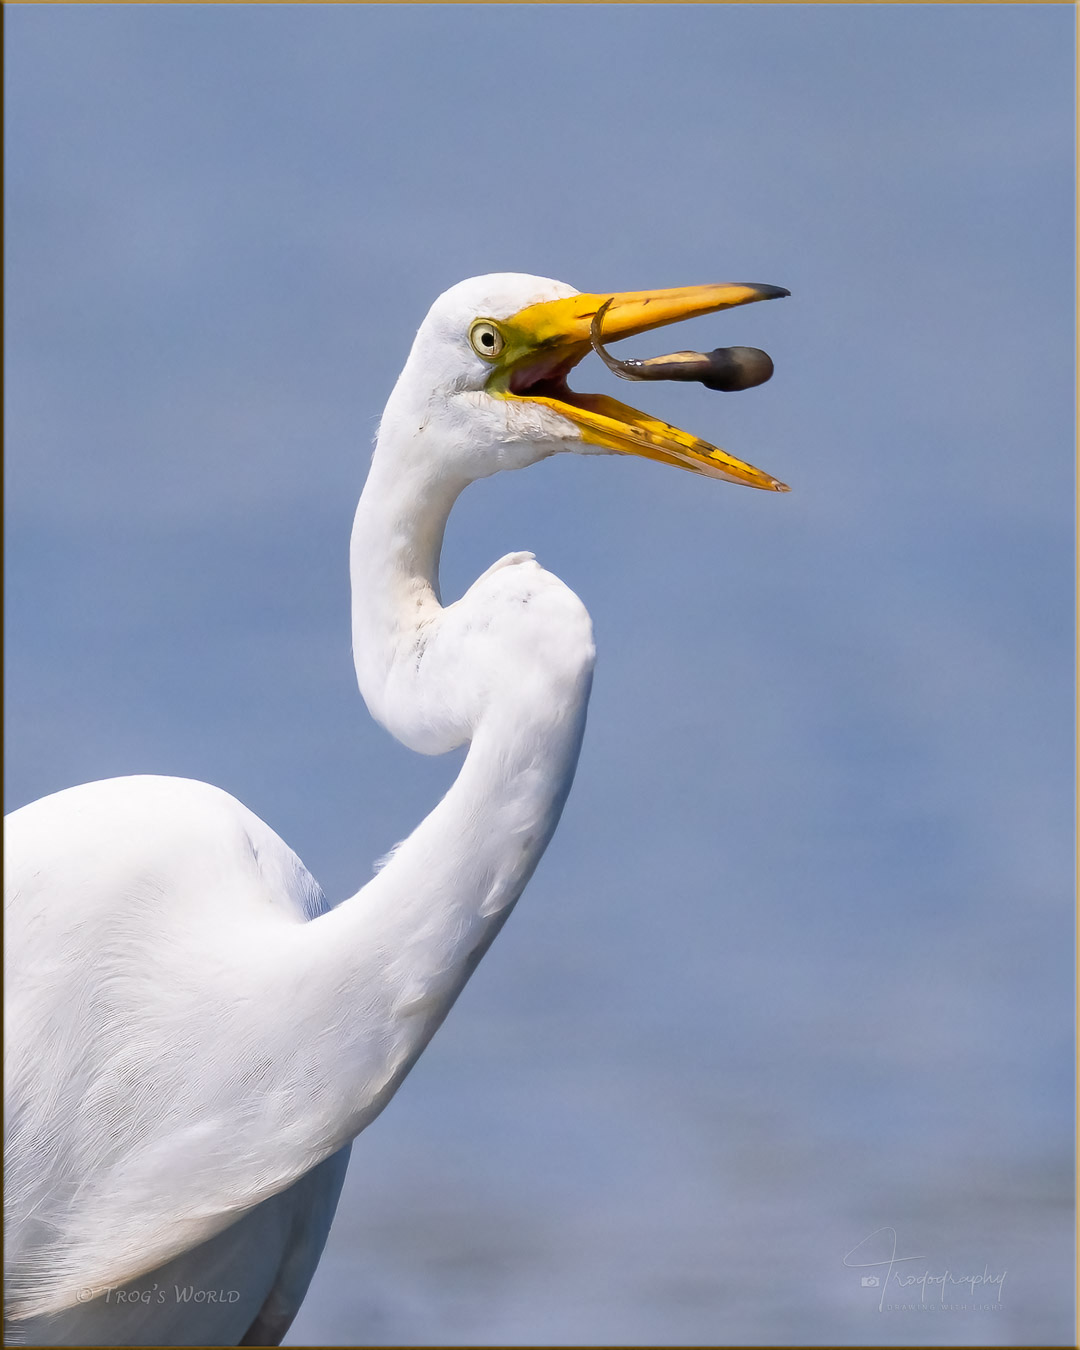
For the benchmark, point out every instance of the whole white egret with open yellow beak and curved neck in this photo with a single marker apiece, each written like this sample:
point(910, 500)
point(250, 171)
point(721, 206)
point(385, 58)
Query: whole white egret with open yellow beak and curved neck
point(194, 1036)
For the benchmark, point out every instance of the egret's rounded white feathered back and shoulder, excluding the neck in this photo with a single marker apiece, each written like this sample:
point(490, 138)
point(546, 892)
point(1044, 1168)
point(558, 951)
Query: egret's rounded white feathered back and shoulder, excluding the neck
point(148, 923)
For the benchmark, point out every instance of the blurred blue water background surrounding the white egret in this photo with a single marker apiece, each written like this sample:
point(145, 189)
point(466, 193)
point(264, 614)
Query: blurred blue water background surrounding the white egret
point(800, 962)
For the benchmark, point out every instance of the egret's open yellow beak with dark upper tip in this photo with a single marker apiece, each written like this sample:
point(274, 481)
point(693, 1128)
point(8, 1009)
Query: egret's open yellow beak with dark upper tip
point(545, 342)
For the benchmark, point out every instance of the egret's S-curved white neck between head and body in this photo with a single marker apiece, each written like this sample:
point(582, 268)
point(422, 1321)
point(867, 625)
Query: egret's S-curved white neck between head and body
point(406, 944)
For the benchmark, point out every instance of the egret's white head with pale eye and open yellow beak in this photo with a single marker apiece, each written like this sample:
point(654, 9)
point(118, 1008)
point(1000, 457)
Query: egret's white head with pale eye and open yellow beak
point(485, 385)
